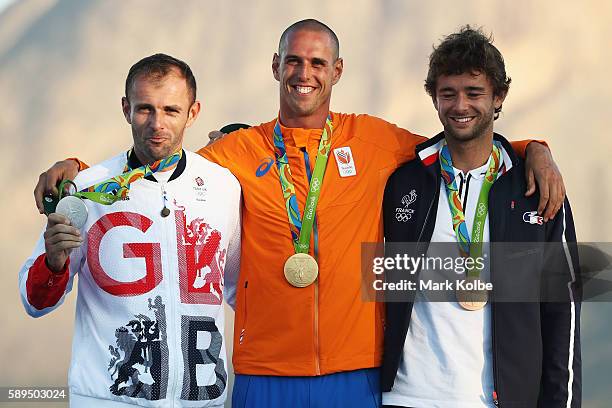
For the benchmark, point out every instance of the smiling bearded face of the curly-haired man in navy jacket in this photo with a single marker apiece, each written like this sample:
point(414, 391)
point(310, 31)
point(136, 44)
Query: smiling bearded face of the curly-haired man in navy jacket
point(466, 105)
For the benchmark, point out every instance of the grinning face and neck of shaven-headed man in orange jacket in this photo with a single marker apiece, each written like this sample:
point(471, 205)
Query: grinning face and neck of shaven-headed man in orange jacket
point(306, 70)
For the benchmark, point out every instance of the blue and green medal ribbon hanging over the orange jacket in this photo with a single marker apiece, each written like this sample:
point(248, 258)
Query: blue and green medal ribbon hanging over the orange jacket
point(301, 228)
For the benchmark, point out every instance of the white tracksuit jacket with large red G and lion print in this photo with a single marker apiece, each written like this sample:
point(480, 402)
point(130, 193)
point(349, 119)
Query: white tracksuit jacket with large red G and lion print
point(149, 315)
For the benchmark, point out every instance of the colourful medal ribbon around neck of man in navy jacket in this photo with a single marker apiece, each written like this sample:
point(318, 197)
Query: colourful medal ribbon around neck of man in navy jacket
point(467, 246)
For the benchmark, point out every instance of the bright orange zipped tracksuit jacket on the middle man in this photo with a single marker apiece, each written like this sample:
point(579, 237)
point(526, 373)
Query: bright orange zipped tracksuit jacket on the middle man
point(325, 327)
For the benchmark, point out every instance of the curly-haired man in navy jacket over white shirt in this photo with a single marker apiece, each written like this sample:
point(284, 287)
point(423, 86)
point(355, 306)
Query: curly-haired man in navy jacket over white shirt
point(523, 351)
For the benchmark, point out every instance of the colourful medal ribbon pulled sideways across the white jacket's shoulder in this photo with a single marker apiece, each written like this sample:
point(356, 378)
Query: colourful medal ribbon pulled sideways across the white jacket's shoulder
point(117, 188)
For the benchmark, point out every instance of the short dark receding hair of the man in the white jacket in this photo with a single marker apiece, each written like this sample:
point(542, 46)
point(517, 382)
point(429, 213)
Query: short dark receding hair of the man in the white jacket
point(158, 66)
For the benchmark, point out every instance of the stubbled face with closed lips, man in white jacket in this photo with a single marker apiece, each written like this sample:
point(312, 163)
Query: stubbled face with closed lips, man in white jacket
point(159, 110)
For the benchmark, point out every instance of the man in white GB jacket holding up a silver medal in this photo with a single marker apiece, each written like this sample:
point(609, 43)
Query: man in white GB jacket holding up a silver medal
point(159, 247)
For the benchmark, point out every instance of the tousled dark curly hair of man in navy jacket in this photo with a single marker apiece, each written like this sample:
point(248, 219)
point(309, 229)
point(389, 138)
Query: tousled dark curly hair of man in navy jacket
point(468, 50)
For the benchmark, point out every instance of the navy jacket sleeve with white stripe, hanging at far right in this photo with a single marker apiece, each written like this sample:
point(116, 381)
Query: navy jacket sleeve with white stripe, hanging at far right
point(560, 315)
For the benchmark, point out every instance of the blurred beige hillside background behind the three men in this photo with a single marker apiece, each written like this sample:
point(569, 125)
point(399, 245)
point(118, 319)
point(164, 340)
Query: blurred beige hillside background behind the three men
point(63, 66)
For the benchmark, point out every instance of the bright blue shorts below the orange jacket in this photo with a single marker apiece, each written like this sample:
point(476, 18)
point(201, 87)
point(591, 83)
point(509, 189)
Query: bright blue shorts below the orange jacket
point(350, 389)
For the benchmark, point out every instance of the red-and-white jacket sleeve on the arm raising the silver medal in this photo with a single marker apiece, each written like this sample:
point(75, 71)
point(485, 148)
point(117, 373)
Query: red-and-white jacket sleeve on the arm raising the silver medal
point(41, 290)
